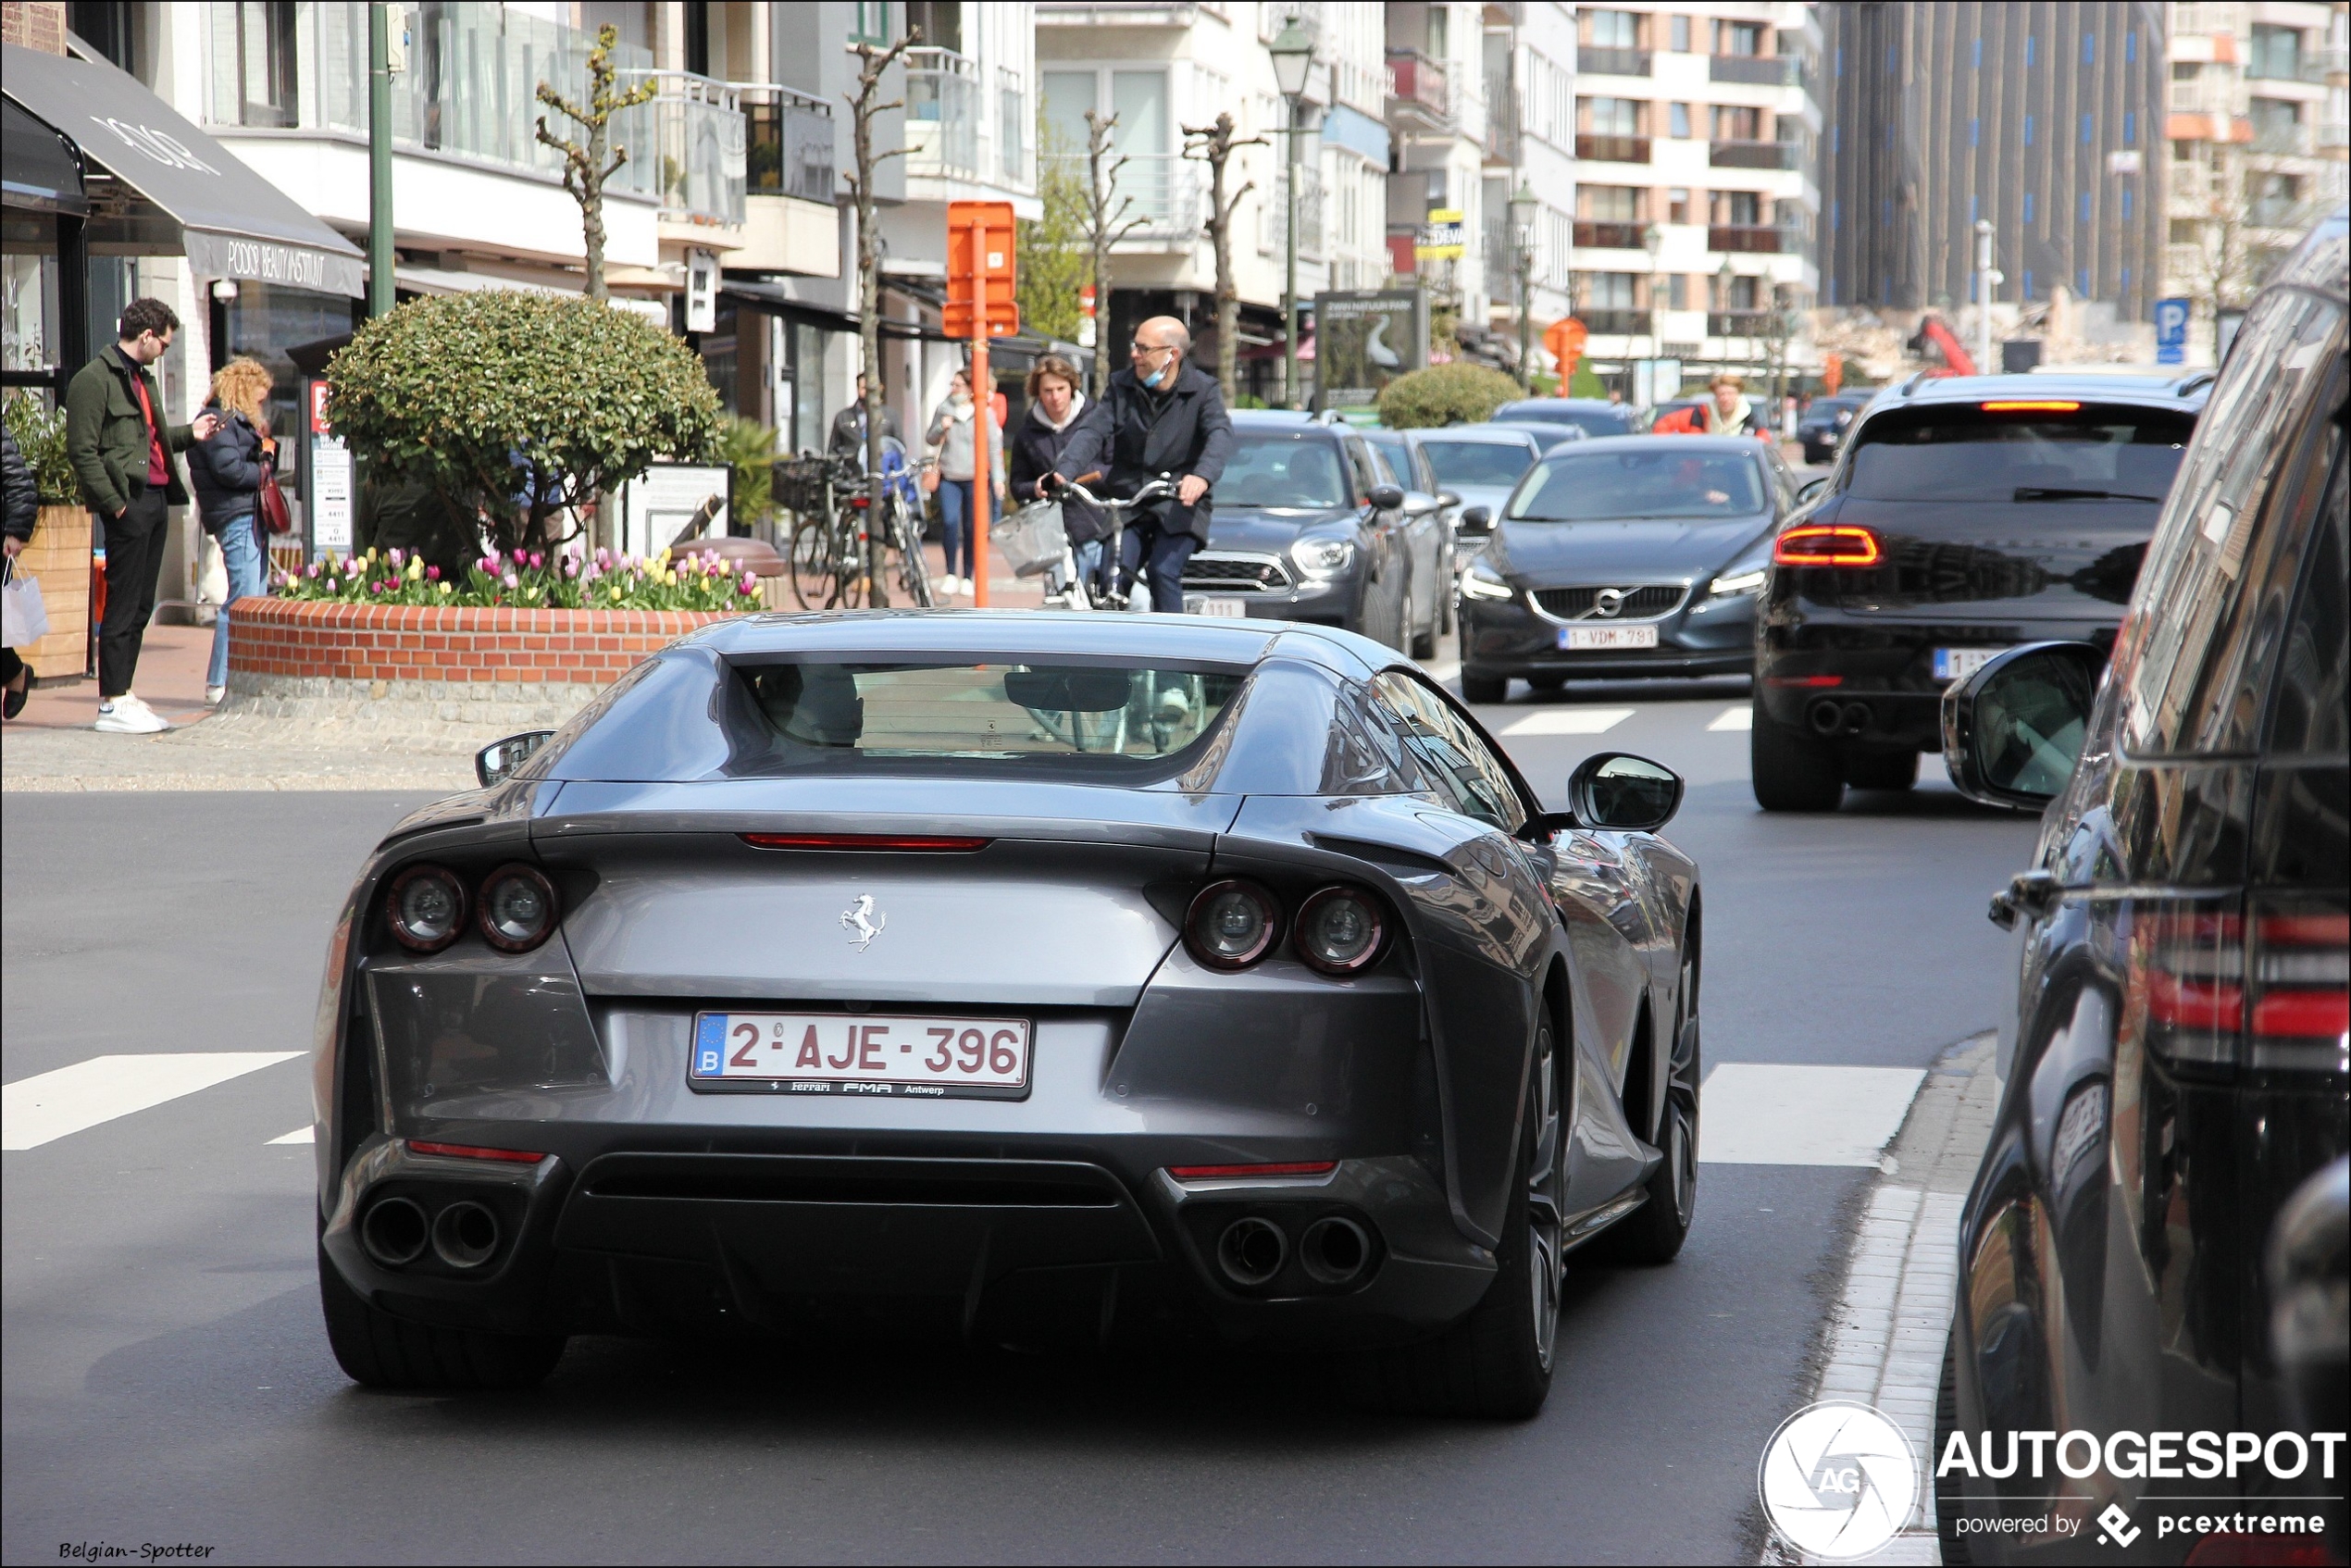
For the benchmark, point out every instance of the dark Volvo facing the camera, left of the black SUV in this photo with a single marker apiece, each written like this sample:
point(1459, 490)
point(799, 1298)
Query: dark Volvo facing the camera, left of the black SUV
point(1626, 556)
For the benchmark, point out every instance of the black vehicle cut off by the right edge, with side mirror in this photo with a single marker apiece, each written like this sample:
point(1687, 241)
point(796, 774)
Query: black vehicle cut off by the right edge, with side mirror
point(2155, 1242)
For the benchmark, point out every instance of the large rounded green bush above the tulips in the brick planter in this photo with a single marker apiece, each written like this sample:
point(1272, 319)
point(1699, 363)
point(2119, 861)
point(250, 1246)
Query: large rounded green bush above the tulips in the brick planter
point(521, 408)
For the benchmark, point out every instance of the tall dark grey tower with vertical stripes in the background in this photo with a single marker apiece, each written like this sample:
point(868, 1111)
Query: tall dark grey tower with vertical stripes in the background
point(2039, 119)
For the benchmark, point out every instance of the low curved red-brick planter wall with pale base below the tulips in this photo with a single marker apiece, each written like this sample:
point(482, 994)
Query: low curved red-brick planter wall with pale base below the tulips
point(415, 674)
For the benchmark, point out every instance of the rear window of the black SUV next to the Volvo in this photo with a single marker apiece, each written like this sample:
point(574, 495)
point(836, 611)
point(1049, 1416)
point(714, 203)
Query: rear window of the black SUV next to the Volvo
point(1971, 455)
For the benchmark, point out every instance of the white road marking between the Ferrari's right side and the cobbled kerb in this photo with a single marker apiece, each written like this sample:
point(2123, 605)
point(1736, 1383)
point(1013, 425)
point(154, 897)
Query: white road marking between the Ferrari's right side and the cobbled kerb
point(1762, 1115)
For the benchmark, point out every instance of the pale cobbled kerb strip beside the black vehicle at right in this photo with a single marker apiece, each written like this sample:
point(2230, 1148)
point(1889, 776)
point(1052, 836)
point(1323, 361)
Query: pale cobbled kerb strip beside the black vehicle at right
point(1896, 1308)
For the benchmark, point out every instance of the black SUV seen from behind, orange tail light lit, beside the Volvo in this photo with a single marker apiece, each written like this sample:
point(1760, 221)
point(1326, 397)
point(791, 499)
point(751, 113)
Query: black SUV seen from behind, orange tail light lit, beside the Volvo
point(1964, 518)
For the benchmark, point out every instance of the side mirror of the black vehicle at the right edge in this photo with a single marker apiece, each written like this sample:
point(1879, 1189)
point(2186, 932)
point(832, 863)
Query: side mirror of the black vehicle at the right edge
point(2014, 732)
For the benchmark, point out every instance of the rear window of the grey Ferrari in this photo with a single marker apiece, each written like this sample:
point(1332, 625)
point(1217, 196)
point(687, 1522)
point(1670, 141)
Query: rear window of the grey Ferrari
point(1087, 718)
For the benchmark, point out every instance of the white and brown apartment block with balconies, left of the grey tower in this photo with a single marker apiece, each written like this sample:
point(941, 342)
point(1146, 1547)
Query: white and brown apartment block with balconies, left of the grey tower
point(1696, 201)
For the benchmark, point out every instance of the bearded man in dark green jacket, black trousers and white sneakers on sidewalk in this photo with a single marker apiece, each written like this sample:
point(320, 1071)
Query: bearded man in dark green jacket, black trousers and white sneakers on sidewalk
point(121, 453)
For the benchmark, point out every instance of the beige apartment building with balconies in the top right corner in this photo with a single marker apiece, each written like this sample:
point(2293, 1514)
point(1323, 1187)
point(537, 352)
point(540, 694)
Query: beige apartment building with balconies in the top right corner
point(2256, 147)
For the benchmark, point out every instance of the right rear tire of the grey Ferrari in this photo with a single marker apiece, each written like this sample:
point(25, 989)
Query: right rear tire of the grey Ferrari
point(1499, 1360)
